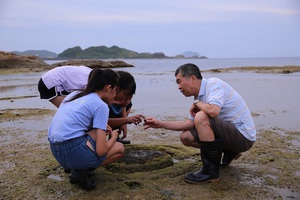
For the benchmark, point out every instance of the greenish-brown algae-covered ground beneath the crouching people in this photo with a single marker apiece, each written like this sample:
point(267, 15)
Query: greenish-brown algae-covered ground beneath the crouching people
point(270, 170)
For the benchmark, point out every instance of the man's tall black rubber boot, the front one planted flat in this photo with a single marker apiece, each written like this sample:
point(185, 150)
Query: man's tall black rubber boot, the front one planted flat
point(211, 153)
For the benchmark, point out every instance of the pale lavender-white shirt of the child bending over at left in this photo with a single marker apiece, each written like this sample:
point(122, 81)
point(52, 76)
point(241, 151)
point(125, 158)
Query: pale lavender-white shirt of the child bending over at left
point(67, 78)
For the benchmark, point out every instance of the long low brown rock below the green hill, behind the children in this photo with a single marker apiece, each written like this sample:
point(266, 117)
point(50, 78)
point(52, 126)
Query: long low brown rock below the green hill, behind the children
point(94, 63)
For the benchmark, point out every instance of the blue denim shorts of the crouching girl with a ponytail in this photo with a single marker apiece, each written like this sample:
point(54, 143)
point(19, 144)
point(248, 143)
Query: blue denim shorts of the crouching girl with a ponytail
point(75, 154)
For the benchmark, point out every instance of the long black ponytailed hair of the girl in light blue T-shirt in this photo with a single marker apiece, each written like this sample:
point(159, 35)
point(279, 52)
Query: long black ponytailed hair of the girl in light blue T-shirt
point(97, 80)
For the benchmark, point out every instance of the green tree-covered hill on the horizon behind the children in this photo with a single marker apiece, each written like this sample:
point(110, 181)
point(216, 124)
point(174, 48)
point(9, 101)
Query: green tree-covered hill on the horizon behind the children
point(103, 52)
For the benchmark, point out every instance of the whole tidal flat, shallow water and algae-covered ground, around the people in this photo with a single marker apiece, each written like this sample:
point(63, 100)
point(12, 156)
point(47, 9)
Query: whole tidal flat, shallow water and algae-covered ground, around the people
point(270, 170)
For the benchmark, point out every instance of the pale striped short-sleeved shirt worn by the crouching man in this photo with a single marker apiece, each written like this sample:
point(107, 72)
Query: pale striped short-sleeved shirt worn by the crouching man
point(233, 107)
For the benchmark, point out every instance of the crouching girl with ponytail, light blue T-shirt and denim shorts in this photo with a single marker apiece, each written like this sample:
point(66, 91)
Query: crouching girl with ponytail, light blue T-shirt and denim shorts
point(78, 132)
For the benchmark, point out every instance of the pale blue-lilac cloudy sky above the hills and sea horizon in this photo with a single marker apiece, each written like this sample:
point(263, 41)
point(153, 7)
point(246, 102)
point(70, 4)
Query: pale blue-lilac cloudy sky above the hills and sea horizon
point(215, 28)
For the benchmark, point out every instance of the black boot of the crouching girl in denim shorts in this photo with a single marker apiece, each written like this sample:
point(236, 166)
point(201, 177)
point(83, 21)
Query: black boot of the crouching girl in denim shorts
point(82, 179)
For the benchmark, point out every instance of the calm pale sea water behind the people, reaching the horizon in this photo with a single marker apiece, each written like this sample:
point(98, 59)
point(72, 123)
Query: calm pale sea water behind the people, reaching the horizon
point(274, 97)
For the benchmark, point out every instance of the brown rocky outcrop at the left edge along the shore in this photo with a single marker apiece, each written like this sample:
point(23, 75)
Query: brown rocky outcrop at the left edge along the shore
point(10, 60)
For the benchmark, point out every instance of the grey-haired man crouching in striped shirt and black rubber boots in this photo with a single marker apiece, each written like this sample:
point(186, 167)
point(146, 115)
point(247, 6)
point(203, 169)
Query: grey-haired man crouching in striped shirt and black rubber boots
point(220, 121)
